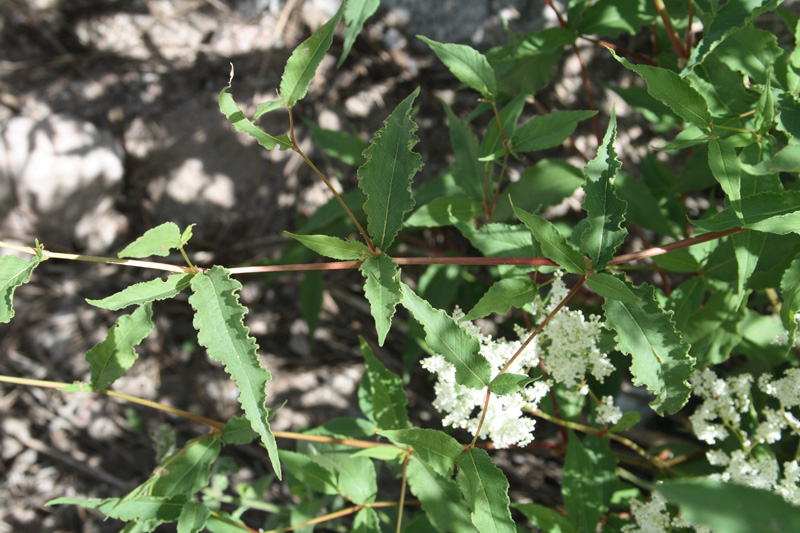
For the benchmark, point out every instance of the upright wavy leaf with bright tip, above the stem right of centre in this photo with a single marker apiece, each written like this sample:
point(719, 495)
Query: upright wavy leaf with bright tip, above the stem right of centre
point(604, 210)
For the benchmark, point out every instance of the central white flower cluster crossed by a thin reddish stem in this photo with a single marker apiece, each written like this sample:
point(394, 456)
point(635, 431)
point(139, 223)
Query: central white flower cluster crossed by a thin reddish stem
point(568, 347)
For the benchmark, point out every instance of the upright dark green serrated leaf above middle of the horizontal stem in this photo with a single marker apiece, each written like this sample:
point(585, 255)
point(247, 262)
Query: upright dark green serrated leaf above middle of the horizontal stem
point(386, 176)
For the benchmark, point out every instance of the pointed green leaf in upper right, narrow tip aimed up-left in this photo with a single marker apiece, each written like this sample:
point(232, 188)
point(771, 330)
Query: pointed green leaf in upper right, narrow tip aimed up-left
point(672, 90)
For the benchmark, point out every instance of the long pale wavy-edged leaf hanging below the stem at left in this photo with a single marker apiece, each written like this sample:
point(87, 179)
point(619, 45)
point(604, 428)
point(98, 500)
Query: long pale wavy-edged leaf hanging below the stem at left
point(218, 320)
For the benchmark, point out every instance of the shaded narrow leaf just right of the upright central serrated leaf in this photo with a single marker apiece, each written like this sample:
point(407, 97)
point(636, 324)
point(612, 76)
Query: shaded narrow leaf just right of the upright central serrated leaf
point(467, 169)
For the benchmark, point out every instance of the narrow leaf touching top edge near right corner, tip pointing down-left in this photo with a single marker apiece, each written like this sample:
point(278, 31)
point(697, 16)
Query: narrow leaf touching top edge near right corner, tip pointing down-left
point(731, 16)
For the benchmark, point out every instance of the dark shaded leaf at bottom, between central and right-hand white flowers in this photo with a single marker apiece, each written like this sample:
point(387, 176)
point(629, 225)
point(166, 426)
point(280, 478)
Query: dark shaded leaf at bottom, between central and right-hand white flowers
point(589, 481)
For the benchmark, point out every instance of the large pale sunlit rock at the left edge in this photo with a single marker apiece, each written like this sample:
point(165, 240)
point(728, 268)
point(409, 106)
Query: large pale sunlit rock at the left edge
point(58, 177)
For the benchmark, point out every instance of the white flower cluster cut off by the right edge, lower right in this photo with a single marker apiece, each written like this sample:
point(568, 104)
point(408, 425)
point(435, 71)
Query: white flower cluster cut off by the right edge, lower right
point(725, 401)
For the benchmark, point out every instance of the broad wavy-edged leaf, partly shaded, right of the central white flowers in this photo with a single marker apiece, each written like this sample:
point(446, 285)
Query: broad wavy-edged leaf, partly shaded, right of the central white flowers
point(661, 359)
